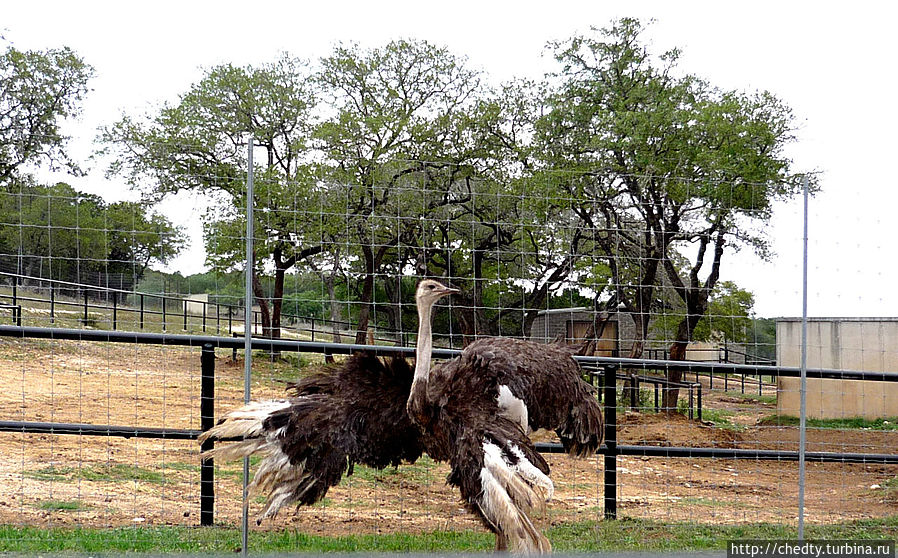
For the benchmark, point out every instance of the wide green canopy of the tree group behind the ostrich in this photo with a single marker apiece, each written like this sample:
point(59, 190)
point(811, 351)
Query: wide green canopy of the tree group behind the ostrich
point(400, 160)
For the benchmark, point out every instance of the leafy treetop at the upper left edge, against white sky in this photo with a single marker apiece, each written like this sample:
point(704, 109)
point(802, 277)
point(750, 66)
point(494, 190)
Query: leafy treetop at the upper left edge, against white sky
point(38, 90)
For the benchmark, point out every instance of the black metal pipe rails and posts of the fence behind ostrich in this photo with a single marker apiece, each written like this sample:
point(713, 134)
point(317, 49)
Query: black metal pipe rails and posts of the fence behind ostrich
point(605, 370)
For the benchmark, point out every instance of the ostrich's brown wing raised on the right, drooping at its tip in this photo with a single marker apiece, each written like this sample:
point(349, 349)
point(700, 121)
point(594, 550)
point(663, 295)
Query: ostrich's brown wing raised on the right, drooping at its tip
point(546, 381)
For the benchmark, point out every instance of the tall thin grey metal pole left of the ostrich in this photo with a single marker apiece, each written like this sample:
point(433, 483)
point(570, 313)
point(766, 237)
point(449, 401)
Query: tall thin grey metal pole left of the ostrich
point(248, 329)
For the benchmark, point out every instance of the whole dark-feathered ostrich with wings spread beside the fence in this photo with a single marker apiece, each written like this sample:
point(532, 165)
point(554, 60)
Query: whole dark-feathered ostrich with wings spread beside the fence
point(474, 411)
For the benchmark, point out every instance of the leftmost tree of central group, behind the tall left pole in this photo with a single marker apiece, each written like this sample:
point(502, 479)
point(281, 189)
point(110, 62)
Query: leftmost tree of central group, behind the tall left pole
point(199, 144)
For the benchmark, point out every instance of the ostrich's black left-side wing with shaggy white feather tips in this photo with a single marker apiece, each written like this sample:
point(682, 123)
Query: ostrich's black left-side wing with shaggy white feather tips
point(354, 412)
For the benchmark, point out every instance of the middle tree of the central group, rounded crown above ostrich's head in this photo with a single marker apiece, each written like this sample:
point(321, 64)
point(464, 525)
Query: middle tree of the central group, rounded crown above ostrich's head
point(392, 146)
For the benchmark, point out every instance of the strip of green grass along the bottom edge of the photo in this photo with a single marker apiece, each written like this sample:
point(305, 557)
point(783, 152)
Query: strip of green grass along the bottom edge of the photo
point(588, 536)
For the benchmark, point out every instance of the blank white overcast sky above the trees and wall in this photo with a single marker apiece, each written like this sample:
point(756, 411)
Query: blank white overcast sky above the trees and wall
point(833, 63)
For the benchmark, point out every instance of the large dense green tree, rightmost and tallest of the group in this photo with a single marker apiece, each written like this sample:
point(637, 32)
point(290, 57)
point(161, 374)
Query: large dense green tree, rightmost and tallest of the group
point(664, 164)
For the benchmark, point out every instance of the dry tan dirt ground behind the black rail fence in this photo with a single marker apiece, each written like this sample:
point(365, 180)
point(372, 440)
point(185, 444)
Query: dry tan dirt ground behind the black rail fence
point(100, 481)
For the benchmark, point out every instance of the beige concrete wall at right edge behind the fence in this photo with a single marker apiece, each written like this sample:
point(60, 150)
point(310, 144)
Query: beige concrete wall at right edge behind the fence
point(843, 344)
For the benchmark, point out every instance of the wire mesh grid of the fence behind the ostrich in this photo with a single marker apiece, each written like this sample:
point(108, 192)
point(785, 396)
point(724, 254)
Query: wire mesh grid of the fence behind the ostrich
point(537, 255)
